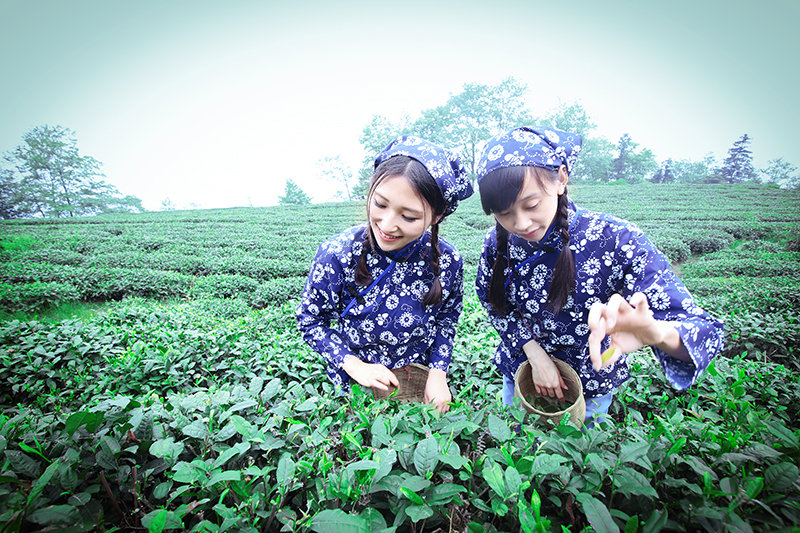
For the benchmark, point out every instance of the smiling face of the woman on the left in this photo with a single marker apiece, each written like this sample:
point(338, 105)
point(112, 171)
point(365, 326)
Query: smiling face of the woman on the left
point(397, 214)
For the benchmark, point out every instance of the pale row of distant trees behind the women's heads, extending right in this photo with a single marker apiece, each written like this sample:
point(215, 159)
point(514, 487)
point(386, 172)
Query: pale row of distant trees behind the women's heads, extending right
point(468, 119)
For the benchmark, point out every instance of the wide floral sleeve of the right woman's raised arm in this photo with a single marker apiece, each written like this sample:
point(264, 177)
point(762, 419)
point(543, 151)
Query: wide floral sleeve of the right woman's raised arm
point(648, 271)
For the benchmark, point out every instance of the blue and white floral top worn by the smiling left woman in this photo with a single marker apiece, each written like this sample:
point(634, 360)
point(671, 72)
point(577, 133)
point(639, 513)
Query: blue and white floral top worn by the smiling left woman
point(386, 322)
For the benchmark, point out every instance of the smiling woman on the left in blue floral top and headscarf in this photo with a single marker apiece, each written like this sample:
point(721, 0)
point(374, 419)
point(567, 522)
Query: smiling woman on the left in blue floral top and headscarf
point(393, 288)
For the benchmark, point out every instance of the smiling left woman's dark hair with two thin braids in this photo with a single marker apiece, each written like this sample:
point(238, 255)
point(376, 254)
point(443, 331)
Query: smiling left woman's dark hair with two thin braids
point(424, 184)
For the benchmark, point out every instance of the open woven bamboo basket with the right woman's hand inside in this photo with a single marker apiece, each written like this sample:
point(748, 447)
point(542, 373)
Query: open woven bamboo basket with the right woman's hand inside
point(524, 389)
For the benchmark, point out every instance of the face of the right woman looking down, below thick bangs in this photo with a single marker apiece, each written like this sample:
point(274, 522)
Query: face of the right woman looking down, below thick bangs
point(535, 207)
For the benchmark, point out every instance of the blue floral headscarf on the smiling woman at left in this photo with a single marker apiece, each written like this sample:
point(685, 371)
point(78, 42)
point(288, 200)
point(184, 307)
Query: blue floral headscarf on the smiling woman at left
point(443, 165)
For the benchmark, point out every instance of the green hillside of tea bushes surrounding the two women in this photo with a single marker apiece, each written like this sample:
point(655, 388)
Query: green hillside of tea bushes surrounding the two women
point(179, 396)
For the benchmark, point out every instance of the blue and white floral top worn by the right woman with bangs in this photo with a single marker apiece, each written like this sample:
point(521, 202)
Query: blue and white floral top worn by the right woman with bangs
point(611, 256)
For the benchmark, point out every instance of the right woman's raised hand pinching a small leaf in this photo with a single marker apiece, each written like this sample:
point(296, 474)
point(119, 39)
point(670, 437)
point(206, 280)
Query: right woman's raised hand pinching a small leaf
point(630, 324)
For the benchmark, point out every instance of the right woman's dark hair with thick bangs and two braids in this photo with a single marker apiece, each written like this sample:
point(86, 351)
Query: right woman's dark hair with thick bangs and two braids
point(499, 189)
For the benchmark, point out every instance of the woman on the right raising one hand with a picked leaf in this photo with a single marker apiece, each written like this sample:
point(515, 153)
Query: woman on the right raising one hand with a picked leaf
point(560, 281)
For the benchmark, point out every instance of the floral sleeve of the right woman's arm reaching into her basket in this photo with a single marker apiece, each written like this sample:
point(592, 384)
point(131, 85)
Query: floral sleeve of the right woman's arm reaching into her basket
point(511, 326)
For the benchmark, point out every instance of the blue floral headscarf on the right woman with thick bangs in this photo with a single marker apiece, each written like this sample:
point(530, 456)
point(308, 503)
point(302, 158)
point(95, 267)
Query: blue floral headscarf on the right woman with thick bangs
point(536, 147)
